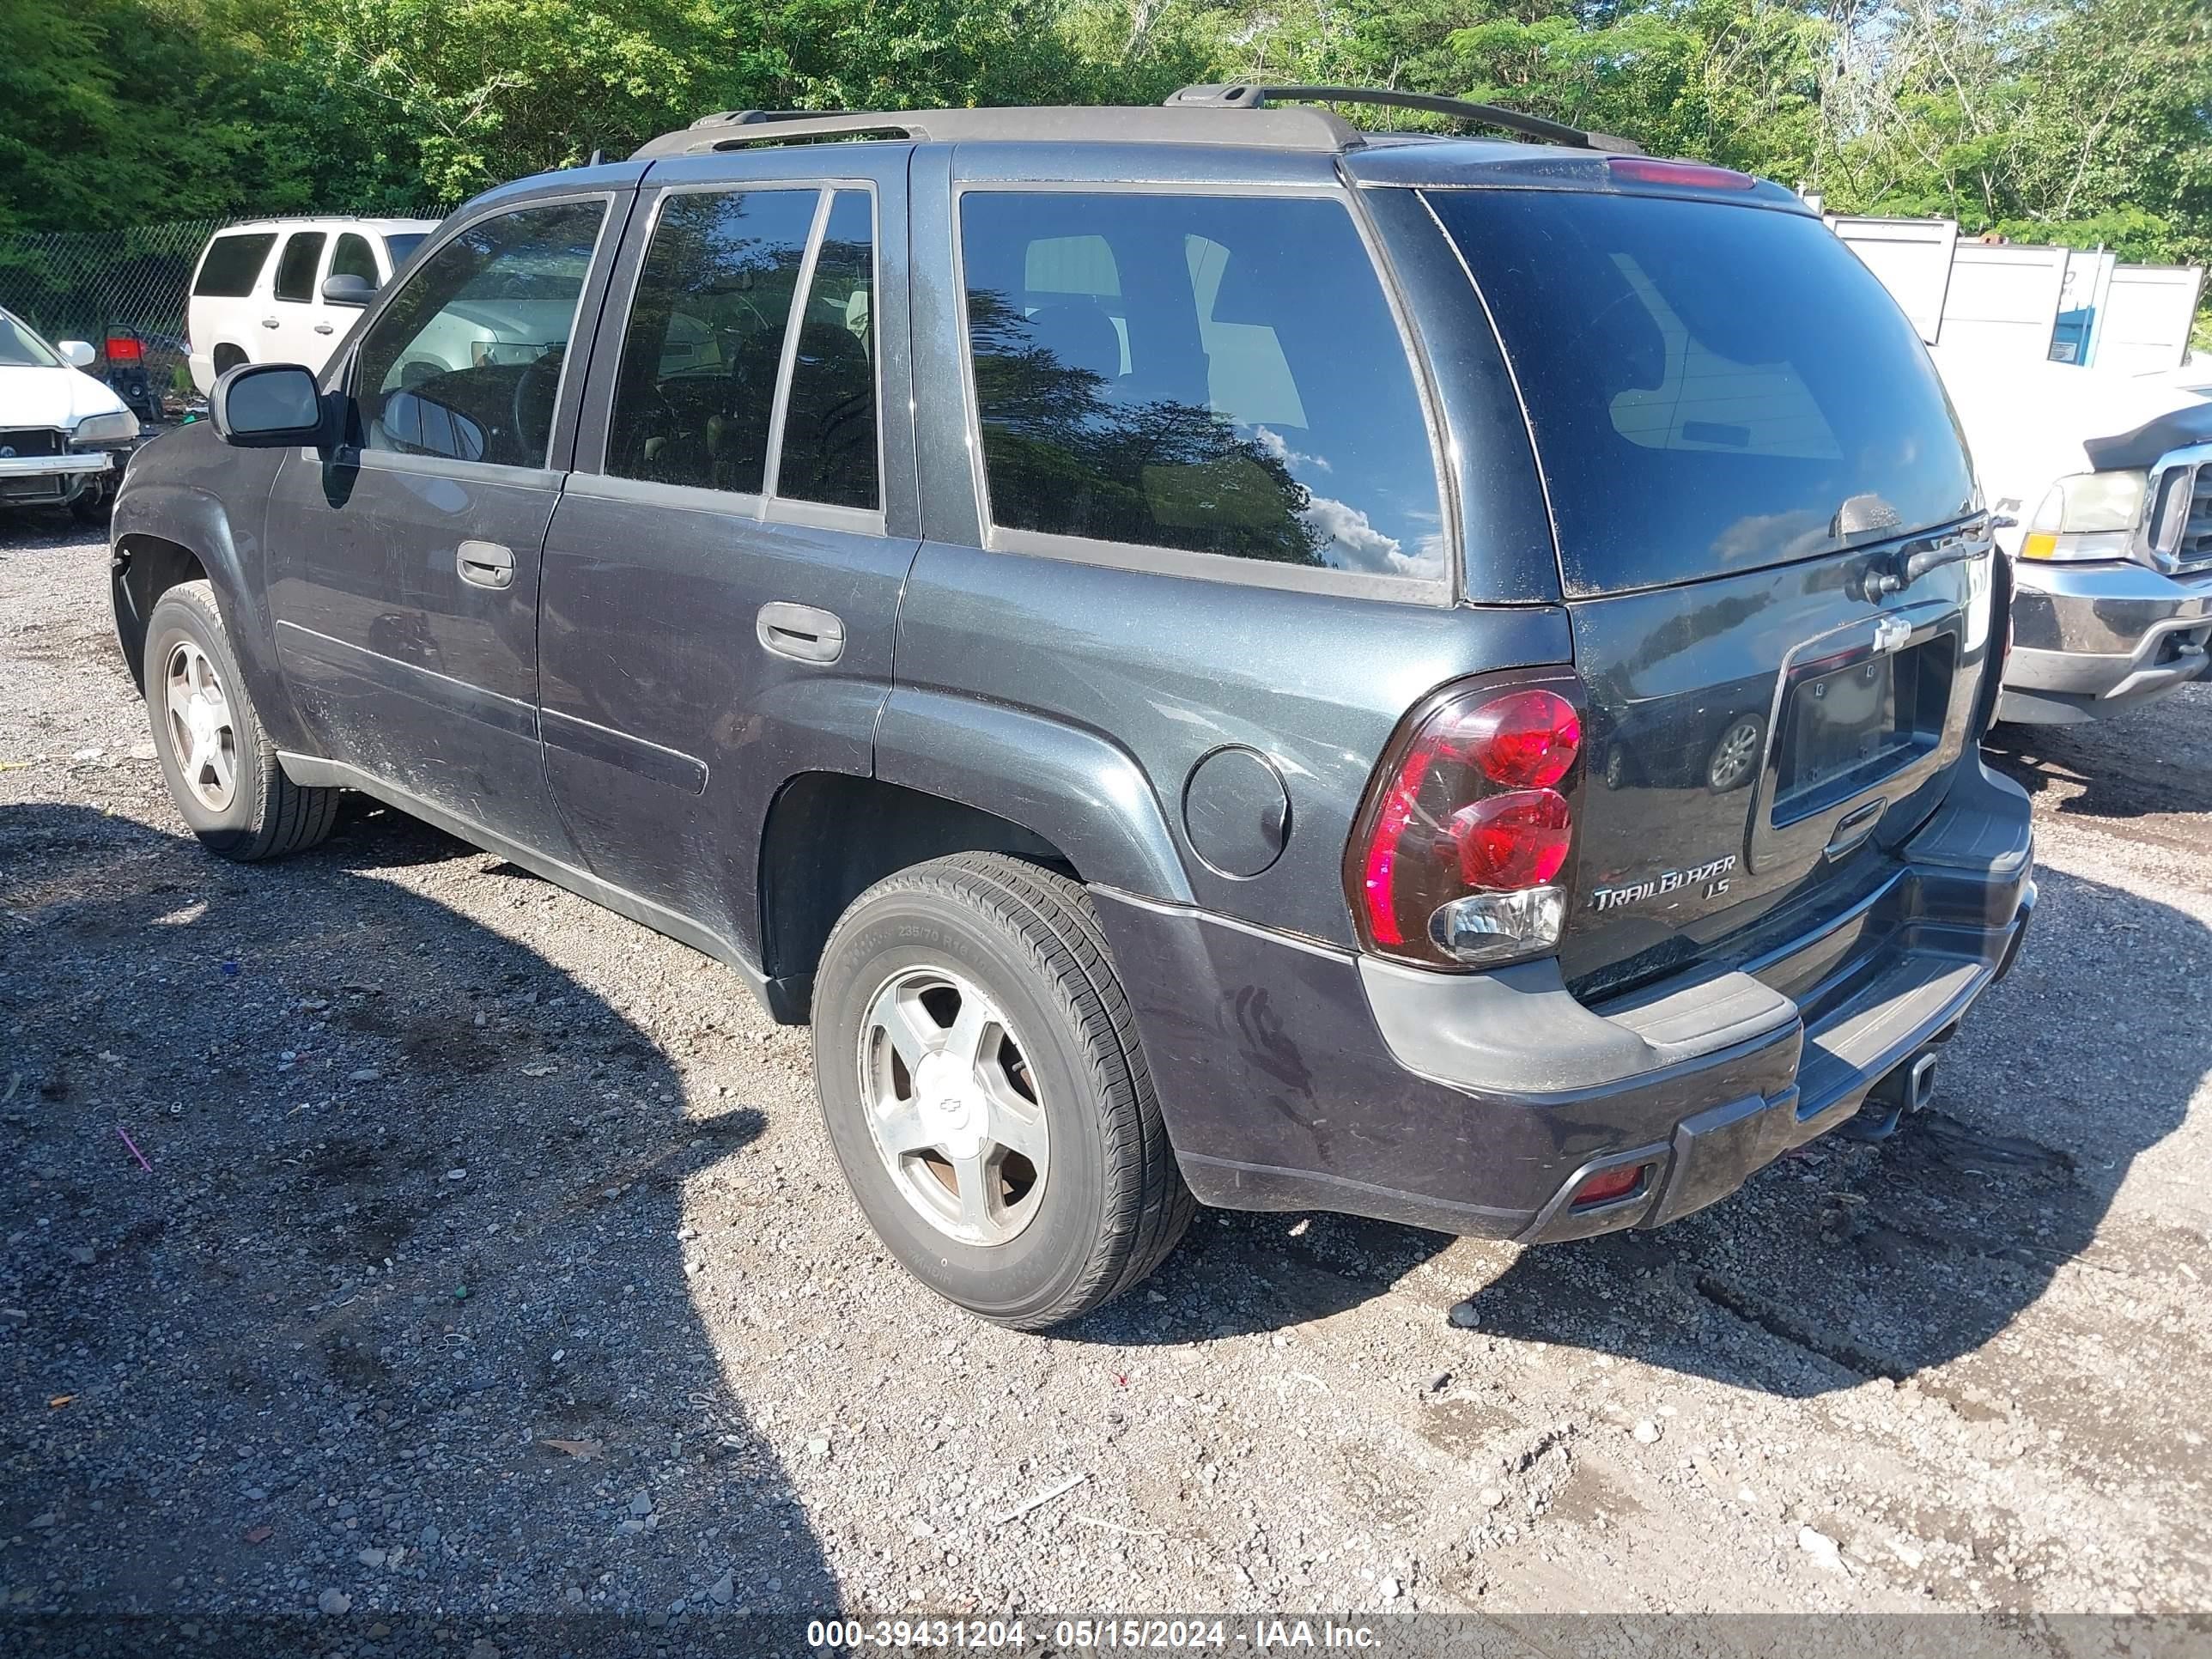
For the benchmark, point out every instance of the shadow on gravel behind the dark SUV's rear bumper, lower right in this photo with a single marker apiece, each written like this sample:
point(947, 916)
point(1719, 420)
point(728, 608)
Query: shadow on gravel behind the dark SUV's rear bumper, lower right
point(1879, 1262)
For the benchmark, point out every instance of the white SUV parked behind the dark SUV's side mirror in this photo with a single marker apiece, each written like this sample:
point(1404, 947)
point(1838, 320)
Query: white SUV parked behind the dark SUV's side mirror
point(262, 291)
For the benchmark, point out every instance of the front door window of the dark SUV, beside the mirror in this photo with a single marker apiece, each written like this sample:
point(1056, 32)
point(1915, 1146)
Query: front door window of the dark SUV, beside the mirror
point(468, 359)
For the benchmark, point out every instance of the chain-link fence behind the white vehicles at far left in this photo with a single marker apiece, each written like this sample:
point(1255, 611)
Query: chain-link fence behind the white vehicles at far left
point(118, 291)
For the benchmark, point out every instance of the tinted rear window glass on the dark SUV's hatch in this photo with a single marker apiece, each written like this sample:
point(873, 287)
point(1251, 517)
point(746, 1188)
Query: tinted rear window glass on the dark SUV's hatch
point(1713, 388)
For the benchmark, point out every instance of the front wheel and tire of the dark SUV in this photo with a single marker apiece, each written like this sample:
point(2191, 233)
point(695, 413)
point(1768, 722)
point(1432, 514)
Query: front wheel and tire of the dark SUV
point(216, 758)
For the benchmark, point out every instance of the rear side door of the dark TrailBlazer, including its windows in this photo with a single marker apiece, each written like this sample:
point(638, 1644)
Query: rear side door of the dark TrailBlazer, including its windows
point(722, 576)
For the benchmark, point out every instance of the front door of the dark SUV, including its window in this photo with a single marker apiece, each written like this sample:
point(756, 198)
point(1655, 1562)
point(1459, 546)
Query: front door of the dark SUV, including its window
point(404, 570)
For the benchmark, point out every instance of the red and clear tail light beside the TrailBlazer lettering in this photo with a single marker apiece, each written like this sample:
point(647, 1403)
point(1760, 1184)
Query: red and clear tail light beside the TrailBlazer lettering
point(1468, 828)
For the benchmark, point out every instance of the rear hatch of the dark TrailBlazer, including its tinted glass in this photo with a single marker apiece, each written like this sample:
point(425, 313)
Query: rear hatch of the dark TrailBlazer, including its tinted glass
point(1768, 545)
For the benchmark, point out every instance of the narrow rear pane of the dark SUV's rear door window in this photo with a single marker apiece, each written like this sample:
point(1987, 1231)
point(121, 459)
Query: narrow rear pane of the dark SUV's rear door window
point(831, 413)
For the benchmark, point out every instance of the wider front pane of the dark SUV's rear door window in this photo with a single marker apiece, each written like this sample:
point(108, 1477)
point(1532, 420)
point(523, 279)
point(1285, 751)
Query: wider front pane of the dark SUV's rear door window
point(705, 346)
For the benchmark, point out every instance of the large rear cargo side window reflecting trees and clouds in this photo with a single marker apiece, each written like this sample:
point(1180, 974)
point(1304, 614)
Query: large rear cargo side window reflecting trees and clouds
point(1218, 375)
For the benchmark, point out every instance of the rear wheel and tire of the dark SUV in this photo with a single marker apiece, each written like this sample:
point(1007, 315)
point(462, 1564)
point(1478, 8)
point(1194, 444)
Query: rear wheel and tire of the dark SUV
point(983, 1087)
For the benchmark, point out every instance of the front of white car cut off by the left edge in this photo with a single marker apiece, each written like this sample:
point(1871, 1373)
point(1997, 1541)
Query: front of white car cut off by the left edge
point(63, 435)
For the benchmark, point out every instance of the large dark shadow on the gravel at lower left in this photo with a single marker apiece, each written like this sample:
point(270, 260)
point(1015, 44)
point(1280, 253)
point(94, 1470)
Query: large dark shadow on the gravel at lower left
point(397, 1317)
